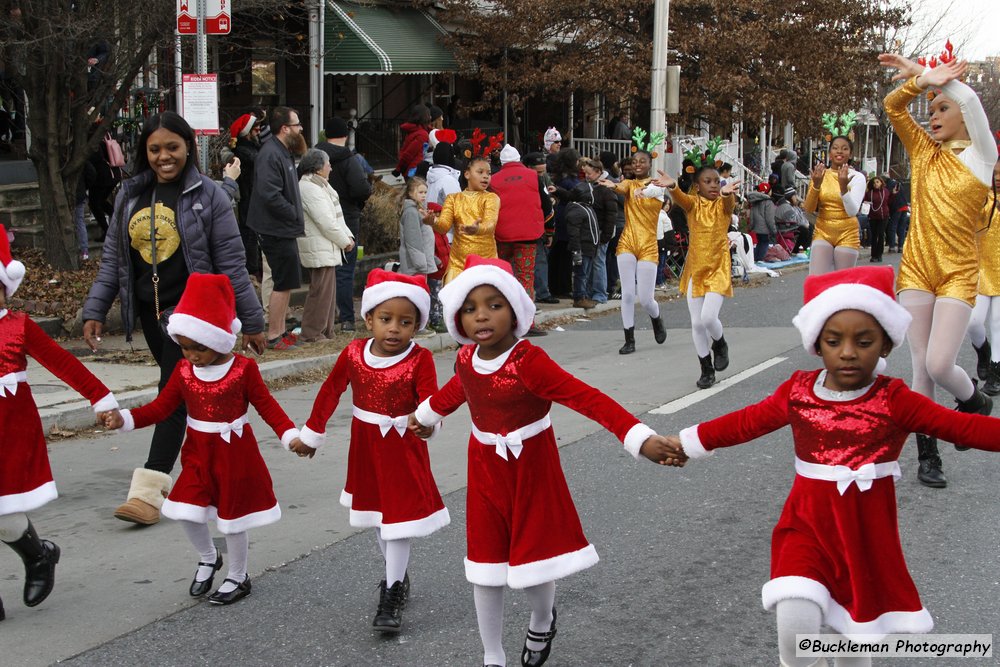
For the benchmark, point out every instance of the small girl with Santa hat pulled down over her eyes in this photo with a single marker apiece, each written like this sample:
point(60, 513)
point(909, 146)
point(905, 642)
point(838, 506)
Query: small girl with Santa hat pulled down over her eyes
point(224, 477)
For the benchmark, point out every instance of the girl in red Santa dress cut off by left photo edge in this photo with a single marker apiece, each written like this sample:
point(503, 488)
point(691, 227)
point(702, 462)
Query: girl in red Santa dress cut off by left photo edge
point(25, 476)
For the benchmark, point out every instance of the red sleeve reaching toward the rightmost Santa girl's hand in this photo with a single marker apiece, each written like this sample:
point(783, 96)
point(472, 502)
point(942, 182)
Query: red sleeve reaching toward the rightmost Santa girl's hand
point(550, 381)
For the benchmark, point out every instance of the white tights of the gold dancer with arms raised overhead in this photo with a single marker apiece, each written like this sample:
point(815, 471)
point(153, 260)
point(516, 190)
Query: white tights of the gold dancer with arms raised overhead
point(936, 334)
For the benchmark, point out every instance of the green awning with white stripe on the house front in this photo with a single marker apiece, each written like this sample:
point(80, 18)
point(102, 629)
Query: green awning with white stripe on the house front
point(381, 39)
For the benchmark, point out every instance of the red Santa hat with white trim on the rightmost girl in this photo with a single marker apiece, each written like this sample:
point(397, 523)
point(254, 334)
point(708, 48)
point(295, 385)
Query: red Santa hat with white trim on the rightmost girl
point(868, 289)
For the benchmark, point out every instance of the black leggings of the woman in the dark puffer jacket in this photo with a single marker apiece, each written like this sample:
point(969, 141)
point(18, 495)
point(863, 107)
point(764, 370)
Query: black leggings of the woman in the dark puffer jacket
point(168, 434)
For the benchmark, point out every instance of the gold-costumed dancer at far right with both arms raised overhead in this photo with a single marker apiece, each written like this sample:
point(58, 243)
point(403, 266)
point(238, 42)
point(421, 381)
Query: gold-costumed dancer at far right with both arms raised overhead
point(951, 172)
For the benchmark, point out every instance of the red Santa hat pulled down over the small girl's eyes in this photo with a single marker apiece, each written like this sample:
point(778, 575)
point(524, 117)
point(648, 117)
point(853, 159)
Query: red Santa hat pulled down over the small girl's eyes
point(206, 313)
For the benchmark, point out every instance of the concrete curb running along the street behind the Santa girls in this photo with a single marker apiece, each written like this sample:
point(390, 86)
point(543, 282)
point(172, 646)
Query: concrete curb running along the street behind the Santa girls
point(80, 414)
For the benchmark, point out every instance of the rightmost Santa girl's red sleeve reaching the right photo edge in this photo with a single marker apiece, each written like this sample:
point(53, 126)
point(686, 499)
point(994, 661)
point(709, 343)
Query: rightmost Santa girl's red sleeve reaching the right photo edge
point(918, 414)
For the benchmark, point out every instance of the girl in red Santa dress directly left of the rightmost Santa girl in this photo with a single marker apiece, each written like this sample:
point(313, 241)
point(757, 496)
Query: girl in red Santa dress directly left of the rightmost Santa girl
point(522, 527)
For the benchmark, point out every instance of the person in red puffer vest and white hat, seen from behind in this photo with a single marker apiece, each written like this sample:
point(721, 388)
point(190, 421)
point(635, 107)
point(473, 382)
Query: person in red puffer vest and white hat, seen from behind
point(524, 207)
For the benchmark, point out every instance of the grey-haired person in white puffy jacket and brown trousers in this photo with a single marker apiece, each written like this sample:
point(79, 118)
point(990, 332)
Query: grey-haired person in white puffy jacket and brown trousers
point(322, 249)
